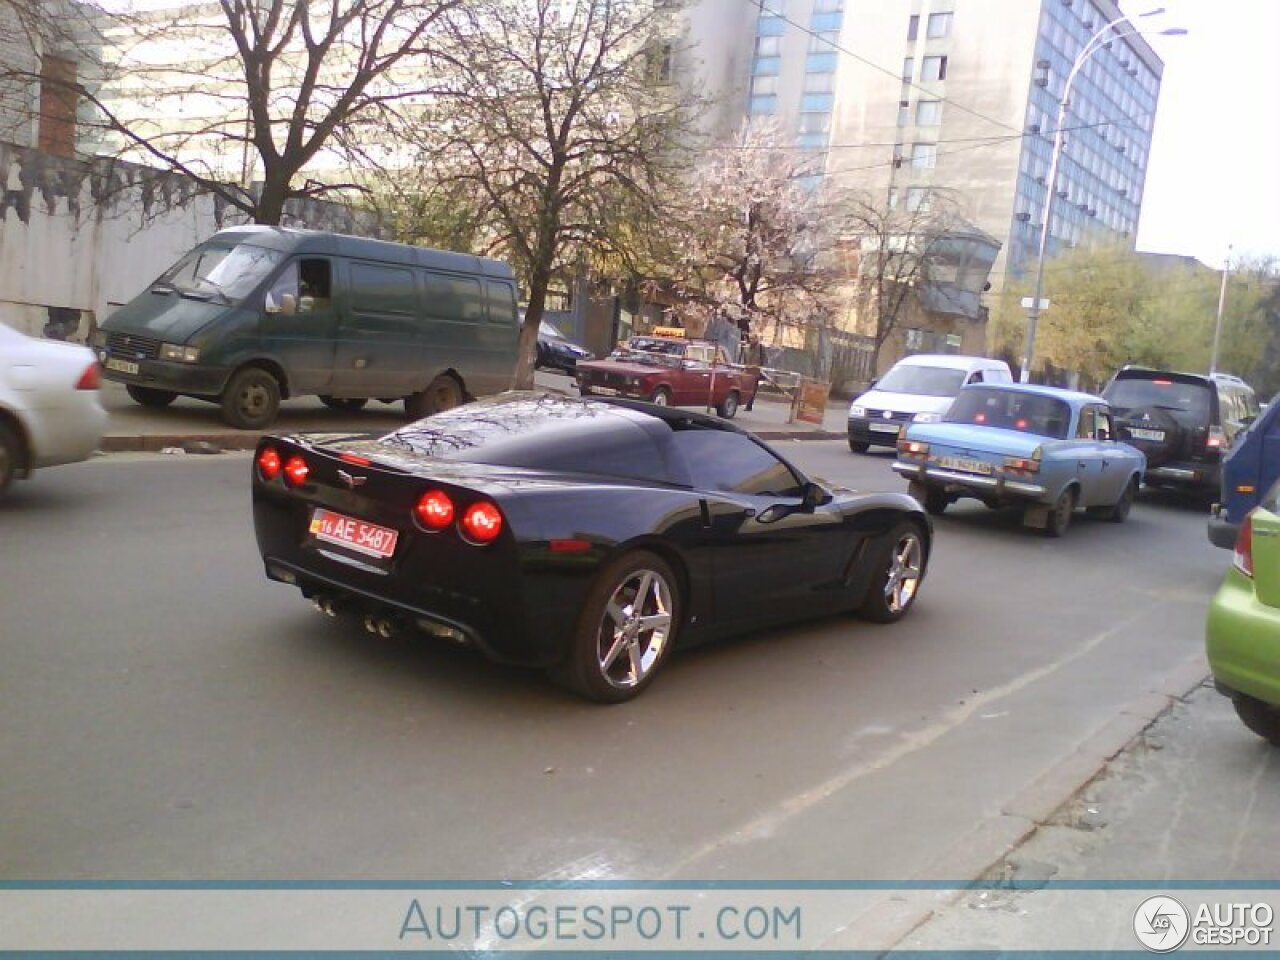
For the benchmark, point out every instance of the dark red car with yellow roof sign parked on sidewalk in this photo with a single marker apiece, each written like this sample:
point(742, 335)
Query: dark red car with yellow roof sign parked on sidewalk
point(671, 371)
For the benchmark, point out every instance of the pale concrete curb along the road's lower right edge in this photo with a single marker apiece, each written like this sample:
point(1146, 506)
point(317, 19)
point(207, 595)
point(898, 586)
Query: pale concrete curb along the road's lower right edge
point(886, 925)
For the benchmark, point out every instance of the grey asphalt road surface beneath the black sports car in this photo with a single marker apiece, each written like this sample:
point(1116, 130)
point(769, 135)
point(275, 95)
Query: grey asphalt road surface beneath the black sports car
point(168, 714)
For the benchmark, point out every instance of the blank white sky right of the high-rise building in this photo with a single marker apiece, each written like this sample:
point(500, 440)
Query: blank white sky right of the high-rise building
point(1214, 177)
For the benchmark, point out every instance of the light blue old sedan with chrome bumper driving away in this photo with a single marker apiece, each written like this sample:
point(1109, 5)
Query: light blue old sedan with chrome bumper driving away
point(1049, 450)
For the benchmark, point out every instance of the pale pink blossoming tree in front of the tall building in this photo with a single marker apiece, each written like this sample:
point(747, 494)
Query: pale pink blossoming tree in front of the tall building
point(753, 234)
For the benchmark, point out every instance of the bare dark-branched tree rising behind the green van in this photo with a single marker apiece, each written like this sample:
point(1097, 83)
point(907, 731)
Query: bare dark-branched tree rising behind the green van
point(289, 93)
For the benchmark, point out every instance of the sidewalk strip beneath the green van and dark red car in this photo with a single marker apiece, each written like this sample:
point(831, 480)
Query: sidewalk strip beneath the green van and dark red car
point(198, 427)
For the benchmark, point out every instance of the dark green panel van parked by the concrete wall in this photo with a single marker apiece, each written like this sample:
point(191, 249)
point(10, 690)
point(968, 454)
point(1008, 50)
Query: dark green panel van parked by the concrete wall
point(258, 314)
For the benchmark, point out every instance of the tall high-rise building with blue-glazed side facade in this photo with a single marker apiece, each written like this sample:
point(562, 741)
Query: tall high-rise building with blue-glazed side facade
point(902, 98)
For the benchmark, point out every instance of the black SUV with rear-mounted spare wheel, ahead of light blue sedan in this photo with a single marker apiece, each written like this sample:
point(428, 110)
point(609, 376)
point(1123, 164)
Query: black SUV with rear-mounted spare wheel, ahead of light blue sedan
point(1182, 422)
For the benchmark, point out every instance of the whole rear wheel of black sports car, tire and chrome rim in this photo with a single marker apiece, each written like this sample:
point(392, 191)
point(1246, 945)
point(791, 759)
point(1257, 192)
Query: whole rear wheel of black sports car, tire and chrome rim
point(625, 630)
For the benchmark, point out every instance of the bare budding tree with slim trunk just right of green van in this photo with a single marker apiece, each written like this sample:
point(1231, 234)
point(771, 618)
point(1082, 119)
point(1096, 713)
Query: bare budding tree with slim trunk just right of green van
point(560, 127)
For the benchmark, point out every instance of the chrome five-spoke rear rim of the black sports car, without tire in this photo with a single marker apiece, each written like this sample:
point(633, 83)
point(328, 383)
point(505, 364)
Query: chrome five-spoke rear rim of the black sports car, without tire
point(636, 629)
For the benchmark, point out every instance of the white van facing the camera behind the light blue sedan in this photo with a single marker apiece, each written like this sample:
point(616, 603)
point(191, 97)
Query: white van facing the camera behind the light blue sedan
point(925, 383)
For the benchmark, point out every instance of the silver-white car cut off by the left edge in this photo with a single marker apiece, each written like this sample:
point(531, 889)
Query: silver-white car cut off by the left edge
point(51, 405)
